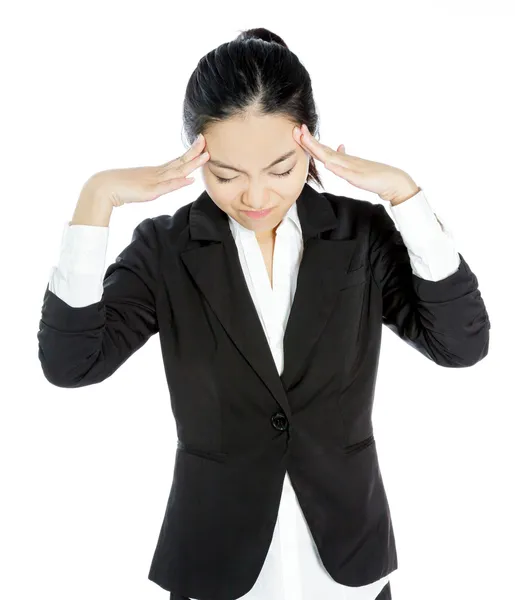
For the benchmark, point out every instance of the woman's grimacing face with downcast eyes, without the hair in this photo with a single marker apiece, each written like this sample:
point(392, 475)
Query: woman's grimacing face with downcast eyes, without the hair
point(240, 175)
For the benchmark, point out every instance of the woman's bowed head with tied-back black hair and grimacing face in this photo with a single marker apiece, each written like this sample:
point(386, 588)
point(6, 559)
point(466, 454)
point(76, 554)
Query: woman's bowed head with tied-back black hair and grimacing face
point(245, 97)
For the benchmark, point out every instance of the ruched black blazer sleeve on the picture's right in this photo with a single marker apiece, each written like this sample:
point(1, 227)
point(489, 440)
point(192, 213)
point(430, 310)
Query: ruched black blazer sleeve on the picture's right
point(445, 320)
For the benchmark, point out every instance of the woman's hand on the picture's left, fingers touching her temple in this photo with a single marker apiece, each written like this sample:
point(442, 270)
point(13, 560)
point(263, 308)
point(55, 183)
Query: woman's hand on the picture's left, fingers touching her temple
point(144, 184)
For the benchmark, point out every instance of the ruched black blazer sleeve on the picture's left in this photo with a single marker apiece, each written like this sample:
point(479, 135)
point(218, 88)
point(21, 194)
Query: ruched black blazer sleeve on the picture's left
point(79, 346)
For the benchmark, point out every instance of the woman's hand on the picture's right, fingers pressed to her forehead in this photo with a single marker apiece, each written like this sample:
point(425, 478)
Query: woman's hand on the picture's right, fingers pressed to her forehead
point(389, 183)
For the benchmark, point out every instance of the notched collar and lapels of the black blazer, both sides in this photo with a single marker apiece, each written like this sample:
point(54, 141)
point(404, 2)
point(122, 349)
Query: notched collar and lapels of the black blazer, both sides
point(217, 271)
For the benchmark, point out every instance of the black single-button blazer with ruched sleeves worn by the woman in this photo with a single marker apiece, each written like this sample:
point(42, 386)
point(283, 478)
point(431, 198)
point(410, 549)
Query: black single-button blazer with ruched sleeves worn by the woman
point(239, 424)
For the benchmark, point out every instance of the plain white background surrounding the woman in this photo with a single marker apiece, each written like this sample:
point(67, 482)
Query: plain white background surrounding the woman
point(426, 87)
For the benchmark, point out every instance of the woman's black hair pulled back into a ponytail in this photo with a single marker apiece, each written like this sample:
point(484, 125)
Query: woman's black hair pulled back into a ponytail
point(254, 71)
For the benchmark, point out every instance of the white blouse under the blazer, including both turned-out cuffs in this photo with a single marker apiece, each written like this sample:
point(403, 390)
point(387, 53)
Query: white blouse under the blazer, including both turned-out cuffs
point(292, 568)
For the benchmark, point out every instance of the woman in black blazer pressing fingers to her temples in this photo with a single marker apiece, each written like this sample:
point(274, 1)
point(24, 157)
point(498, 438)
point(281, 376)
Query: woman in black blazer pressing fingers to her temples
point(269, 298)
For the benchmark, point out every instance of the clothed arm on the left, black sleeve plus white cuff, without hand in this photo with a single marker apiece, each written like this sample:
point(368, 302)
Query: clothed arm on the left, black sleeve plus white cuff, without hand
point(84, 344)
